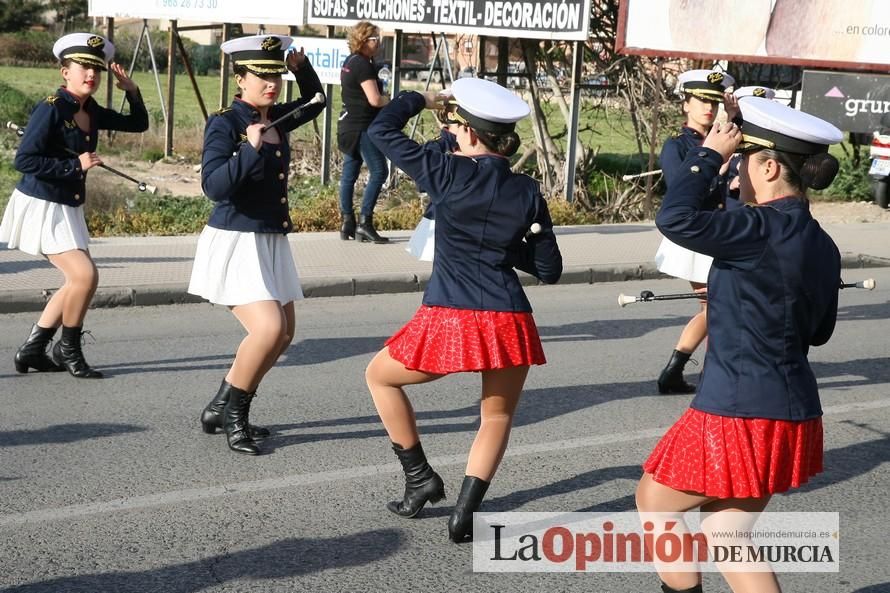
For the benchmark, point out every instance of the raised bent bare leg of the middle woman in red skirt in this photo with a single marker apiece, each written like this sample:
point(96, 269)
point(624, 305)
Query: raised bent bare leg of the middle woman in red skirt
point(386, 377)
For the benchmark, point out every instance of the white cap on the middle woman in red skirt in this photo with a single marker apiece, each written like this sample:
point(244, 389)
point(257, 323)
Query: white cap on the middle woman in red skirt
point(487, 106)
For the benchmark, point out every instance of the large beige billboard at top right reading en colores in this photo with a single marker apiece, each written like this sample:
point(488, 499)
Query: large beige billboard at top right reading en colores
point(831, 33)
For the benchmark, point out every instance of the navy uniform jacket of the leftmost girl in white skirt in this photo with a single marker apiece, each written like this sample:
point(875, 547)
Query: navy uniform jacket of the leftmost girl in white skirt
point(52, 173)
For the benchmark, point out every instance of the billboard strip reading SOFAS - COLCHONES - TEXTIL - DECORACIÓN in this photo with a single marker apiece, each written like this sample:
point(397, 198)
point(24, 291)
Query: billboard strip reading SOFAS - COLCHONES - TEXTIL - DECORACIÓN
point(532, 19)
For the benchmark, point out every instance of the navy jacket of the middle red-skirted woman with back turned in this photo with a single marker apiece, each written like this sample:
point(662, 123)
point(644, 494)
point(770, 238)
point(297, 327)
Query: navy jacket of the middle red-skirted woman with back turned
point(483, 212)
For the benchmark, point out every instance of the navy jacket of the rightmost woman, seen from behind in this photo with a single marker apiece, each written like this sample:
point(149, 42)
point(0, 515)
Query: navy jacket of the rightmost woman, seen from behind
point(772, 293)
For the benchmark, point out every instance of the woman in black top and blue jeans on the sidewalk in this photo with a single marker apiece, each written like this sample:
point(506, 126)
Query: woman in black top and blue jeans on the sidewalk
point(363, 97)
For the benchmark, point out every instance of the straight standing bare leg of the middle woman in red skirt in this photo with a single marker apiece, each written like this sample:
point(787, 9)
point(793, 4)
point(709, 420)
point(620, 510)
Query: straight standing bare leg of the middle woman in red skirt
point(501, 390)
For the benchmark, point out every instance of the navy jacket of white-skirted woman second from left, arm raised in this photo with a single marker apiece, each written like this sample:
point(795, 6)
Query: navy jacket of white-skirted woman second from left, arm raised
point(250, 186)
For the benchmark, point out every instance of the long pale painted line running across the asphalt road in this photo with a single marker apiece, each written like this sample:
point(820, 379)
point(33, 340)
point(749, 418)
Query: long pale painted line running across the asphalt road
point(194, 494)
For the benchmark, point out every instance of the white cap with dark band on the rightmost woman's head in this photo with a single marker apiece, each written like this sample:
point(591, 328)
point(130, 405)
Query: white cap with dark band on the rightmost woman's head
point(770, 124)
